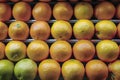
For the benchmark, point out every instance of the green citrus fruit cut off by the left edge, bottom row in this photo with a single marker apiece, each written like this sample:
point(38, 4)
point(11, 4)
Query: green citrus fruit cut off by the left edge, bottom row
point(6, 69)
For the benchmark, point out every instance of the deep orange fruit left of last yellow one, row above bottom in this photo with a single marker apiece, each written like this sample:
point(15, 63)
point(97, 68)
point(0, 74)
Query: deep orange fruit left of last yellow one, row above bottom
point(84, 50)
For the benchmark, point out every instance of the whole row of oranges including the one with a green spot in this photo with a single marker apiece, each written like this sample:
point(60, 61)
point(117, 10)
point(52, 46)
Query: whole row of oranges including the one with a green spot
point(61, 30)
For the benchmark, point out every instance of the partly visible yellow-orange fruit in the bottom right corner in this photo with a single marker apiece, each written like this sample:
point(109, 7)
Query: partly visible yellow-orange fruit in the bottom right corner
point(114, 69)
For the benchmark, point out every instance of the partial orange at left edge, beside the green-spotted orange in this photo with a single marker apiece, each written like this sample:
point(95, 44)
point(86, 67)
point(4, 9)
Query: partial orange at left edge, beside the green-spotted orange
point(3, 31)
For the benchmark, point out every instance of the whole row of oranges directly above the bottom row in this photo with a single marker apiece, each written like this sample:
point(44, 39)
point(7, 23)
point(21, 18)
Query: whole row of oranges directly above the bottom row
point(38, 50)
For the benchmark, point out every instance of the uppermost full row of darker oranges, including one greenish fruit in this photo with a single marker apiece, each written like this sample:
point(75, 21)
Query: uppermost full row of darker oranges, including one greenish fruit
point(61, 11)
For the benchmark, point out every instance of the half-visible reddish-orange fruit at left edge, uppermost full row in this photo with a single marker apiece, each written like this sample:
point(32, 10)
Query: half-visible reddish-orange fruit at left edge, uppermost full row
point(5, 12)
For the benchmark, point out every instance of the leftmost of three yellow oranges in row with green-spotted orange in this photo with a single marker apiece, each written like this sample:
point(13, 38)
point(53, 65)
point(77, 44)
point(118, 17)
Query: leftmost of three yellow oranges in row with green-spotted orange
point(61, 30)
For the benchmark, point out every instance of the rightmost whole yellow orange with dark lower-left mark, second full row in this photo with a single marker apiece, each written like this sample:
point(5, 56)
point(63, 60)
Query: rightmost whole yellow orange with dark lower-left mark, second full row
point(105, 29)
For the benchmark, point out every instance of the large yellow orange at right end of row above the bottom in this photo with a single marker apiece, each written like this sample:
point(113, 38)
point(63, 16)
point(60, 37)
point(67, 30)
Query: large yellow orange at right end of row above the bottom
point(107, 50)
